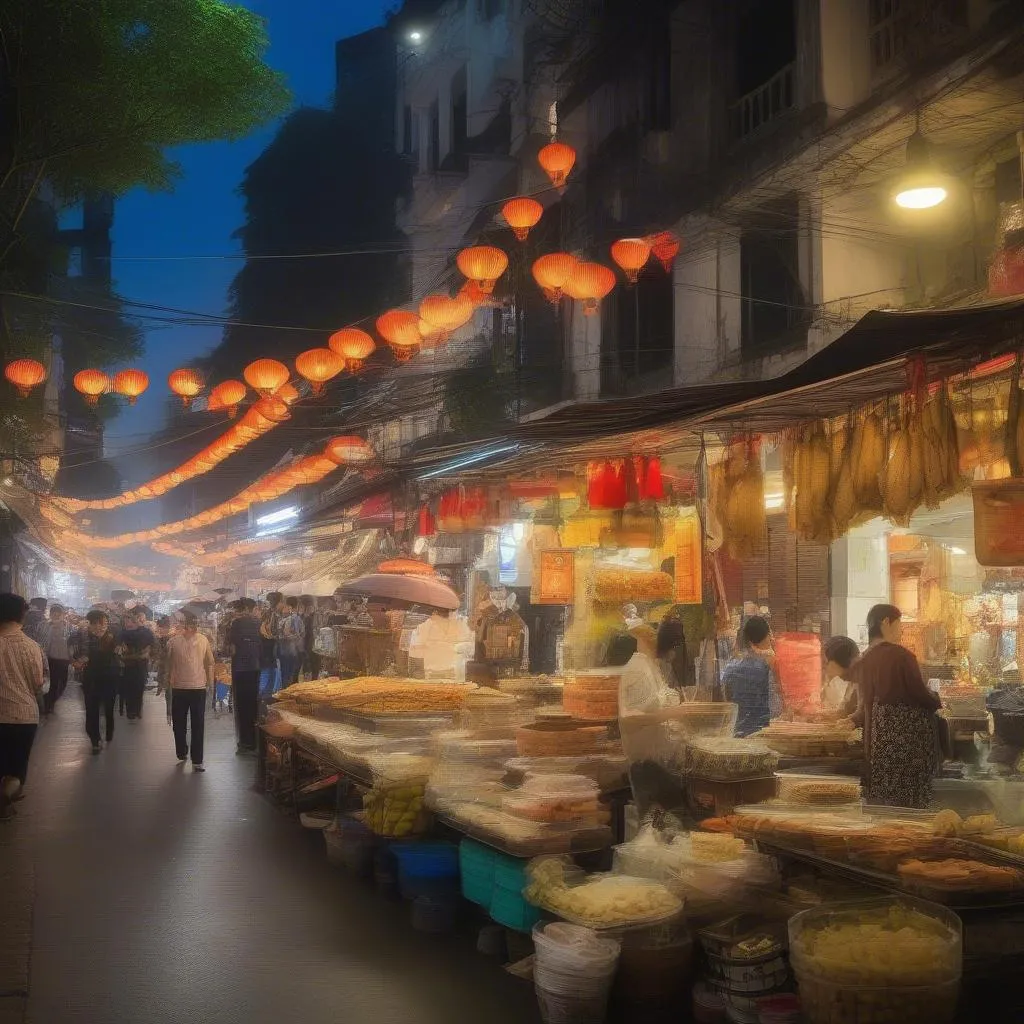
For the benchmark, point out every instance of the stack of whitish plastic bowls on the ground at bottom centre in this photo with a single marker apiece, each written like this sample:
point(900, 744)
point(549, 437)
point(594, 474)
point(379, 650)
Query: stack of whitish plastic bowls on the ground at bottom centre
point(573, 973)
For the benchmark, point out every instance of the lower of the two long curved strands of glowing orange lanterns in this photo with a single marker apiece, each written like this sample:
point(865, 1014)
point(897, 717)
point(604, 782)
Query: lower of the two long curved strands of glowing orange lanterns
point(303, 472)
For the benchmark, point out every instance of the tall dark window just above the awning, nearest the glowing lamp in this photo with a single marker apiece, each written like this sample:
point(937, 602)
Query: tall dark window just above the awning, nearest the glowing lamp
point(775, 311)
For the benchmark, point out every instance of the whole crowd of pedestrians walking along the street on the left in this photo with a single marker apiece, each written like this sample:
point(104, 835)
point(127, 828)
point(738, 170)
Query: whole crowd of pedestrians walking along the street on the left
point(116, 651)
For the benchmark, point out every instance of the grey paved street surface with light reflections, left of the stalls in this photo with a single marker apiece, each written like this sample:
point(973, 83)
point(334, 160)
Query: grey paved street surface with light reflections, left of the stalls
point(168, 898)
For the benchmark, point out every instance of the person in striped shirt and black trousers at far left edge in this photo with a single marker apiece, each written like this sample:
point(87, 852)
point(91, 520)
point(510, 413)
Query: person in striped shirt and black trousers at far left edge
point(21, 685)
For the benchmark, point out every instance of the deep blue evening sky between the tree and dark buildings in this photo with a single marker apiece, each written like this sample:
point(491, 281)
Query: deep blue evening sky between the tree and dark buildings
point(201, 216)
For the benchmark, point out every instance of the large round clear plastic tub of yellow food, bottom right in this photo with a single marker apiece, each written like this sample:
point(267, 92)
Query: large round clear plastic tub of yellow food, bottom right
point(891, 959)
